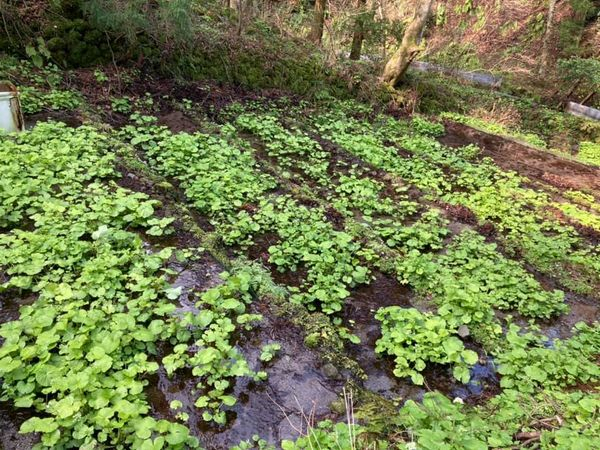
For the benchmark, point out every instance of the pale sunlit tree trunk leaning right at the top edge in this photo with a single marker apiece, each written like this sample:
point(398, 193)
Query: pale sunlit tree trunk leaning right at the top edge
point(409, 48)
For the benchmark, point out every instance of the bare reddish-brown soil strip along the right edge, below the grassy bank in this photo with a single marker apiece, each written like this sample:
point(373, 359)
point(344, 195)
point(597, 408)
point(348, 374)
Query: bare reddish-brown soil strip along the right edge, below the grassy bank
point(535, 164)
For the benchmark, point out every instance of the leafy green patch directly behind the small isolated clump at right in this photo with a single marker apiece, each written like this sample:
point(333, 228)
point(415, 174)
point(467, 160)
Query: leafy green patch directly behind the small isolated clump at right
point(472, 279)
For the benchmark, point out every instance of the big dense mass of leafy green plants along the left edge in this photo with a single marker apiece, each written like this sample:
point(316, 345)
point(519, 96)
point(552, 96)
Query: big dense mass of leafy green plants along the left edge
point(79, 355)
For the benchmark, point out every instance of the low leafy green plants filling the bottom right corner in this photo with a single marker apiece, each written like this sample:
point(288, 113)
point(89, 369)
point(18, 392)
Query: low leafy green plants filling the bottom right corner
point(560, 420)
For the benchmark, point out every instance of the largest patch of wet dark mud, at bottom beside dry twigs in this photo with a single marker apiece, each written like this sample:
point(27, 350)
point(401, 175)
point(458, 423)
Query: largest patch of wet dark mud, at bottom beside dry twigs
point(298, 390)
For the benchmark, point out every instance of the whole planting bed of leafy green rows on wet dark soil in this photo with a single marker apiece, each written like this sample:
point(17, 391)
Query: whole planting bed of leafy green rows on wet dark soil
point(315, 276)
